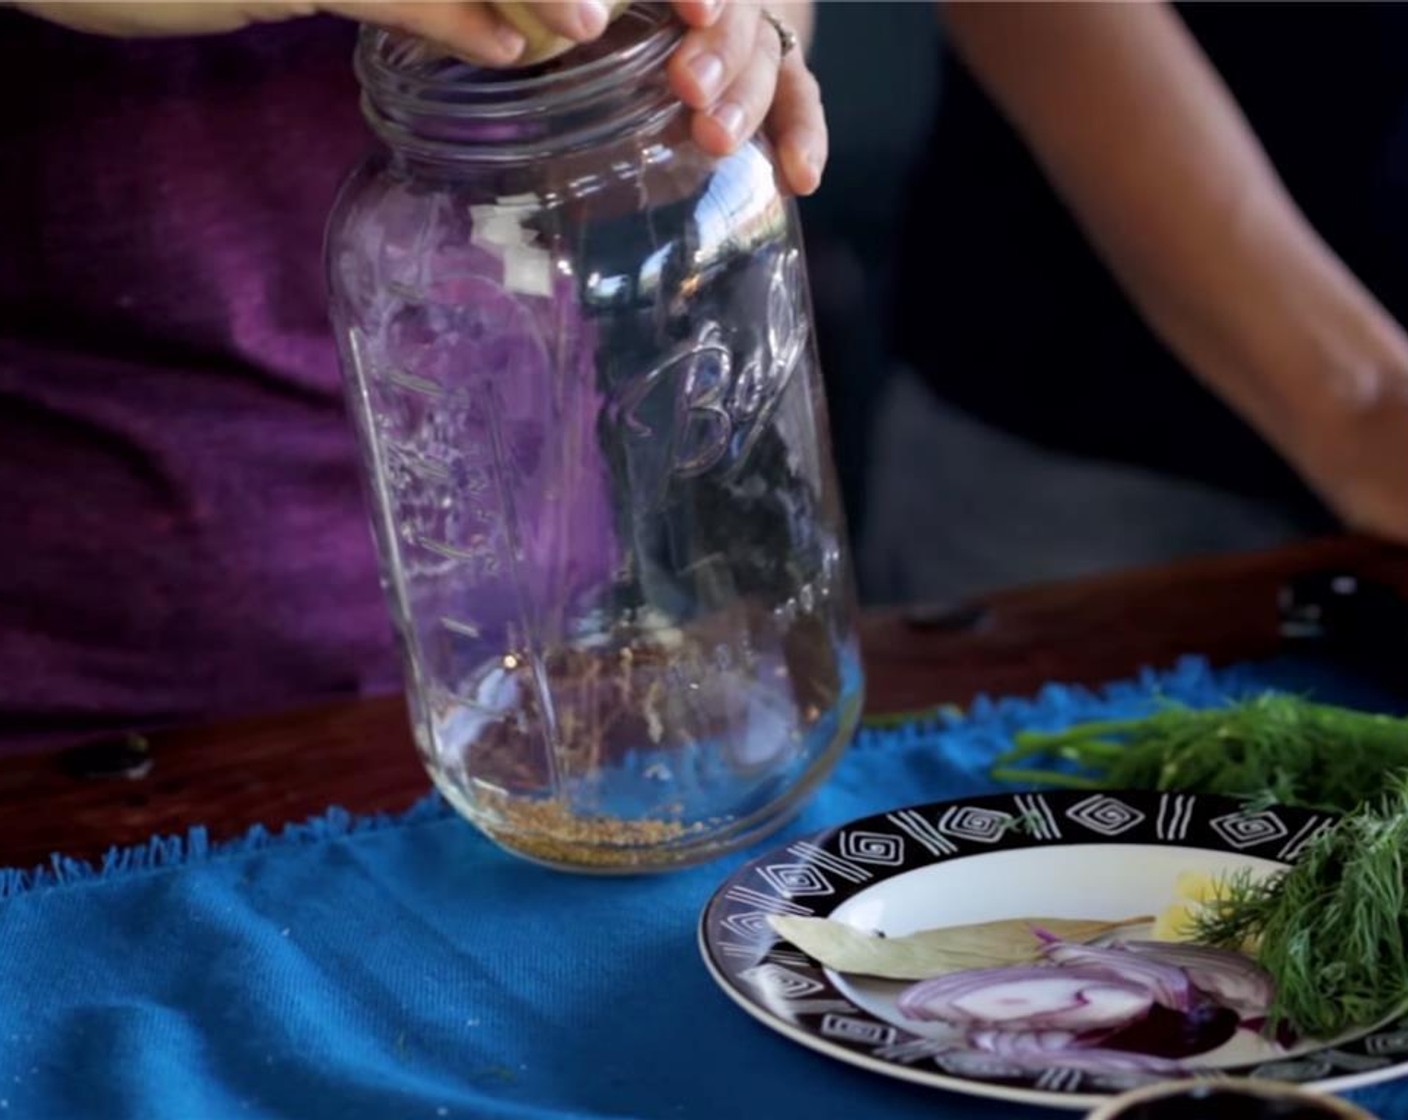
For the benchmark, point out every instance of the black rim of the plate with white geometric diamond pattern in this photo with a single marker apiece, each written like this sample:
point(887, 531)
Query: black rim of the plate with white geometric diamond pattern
point(816, 876)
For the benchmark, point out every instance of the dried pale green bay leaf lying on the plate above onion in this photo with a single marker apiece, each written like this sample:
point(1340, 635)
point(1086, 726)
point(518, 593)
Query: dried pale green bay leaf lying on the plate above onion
point(936, 953)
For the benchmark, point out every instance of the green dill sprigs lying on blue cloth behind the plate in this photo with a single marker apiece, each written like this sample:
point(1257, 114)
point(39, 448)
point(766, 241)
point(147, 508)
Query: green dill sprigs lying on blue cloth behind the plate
point(1274, 749)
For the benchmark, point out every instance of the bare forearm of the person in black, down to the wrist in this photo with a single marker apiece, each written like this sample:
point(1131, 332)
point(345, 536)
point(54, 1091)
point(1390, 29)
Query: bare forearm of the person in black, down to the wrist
point(1151, 154)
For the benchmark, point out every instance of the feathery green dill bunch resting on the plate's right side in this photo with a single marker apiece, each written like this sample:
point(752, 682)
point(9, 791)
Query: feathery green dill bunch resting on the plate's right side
point(1333, 931)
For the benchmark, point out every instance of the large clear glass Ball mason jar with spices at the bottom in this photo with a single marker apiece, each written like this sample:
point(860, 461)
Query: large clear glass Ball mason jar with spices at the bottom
point(581, 361)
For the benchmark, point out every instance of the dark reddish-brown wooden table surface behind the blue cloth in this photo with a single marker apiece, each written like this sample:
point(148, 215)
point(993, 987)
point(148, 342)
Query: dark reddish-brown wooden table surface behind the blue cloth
point(358, 754)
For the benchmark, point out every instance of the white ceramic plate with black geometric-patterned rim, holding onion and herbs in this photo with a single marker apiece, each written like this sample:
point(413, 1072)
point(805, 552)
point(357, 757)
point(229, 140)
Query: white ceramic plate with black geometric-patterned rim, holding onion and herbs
point(1079, 856)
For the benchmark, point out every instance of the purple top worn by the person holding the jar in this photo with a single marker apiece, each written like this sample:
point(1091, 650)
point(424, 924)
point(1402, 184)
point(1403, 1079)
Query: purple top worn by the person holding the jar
point(185, 528)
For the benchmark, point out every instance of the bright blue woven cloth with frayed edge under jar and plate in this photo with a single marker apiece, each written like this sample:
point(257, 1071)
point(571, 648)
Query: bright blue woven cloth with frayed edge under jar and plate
point(406, 969)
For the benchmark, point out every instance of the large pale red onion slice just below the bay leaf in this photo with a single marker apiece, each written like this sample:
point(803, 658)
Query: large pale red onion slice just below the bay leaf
point(1029, 998)
